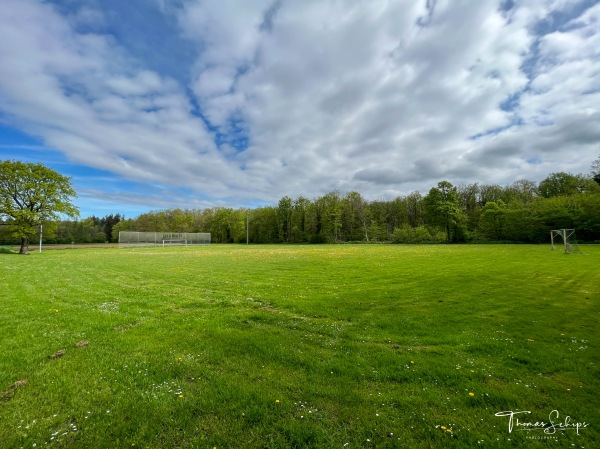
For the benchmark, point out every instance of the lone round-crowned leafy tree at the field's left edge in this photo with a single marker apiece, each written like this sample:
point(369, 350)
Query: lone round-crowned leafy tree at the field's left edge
point(31, 194)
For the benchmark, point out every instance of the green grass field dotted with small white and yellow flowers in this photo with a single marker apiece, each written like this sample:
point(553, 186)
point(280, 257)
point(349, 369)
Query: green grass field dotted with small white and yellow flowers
point(347, 346)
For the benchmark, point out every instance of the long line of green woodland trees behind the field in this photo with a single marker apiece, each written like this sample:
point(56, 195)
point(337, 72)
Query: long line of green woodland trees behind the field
point(523, 211)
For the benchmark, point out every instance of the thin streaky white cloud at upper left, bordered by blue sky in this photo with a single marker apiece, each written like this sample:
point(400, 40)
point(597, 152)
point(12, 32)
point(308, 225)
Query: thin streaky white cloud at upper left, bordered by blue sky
point(81, 94)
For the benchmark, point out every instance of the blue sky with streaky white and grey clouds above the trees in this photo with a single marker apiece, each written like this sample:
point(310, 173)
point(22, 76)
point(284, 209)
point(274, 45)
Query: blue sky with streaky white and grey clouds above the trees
point(160, 104)
